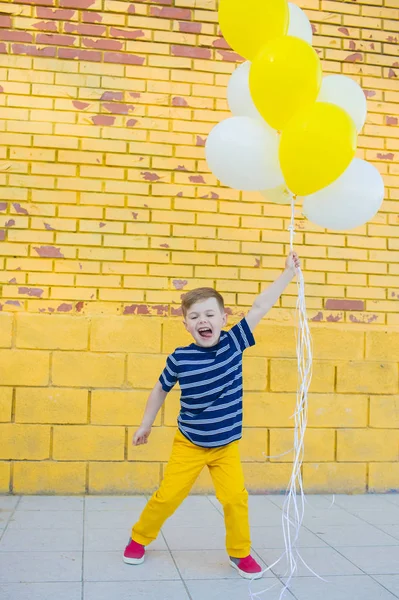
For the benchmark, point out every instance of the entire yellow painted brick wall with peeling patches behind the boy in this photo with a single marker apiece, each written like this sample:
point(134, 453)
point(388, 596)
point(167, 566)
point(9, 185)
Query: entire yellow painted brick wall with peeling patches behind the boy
point(108, 214)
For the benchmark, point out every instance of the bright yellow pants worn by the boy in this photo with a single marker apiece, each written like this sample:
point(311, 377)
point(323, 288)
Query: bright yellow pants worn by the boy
point(185, 465)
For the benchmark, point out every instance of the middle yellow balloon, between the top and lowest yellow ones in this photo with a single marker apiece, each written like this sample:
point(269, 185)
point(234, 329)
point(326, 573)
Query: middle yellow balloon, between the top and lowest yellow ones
point(285, 77)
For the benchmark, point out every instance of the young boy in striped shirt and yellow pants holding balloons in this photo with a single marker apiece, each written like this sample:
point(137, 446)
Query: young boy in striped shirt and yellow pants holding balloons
point(209, 372)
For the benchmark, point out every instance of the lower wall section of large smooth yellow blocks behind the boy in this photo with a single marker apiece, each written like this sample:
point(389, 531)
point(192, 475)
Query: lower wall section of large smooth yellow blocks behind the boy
point(74, 389)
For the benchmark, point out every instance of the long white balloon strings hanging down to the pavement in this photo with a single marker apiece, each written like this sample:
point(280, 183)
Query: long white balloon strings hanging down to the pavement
point(293, 508)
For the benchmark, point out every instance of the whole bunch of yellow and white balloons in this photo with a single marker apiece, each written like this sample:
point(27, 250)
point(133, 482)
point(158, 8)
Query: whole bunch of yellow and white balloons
point(293, 132)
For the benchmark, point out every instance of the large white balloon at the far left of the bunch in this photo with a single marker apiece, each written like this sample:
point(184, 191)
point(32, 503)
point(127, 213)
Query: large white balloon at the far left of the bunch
point(243, 154)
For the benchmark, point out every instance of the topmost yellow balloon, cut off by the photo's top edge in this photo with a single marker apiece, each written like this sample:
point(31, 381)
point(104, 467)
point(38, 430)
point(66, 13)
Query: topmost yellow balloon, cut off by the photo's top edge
point(247, 24)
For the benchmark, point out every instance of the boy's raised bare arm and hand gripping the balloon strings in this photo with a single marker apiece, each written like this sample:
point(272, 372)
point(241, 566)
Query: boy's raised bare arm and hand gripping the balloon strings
point(267, 299)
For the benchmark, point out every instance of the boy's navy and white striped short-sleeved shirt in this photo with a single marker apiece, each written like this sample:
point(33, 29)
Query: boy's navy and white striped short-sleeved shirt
point(210, 380)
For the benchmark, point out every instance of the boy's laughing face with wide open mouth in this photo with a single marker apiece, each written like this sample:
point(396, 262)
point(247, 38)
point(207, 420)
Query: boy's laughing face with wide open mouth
point(205, 320)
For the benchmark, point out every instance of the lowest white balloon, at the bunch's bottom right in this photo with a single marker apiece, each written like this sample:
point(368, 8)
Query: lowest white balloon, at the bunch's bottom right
point(350, 201)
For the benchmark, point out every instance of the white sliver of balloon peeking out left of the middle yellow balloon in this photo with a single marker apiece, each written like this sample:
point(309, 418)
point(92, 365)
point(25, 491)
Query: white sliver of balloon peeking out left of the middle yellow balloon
point(238, 95)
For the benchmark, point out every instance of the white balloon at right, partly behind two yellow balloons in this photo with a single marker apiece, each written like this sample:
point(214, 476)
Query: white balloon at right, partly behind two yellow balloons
point(346, 93)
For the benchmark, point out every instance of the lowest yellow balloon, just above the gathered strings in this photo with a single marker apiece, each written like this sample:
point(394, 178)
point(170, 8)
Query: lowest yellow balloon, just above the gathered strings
point(316, 147)
